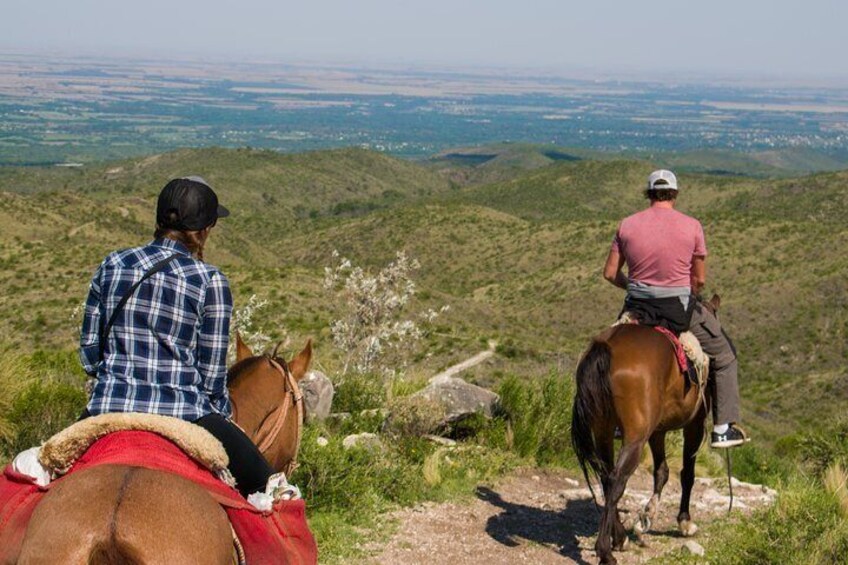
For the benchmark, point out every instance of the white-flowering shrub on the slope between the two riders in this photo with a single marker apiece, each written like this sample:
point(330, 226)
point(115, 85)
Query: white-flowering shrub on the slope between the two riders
point(372, 333)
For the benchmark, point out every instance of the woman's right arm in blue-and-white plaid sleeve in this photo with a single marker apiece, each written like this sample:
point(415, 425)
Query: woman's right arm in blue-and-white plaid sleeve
point(213, 341)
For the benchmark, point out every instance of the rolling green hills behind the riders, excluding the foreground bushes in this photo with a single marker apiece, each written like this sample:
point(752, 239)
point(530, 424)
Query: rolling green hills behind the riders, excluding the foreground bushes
point(517, 257)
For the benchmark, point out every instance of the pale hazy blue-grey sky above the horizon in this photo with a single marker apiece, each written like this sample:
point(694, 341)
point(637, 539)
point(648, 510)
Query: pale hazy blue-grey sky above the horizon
point(775, 37)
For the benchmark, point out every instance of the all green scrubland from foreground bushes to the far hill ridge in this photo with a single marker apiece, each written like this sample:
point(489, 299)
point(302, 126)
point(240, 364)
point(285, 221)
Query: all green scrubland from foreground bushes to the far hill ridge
point(516, 252)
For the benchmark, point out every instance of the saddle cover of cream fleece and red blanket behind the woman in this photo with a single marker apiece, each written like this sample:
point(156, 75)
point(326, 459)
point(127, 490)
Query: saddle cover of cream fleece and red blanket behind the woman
point(280, 535)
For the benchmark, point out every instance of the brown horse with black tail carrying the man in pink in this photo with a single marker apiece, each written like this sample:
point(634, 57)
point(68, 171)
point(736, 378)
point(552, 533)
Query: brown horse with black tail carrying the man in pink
point(629, 378)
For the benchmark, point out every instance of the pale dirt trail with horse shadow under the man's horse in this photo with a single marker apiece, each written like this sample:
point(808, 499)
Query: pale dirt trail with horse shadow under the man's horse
point(548, 517)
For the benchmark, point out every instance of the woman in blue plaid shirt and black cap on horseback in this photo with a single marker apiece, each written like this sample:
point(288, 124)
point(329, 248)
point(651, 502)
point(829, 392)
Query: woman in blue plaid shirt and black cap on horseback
point(166, 351)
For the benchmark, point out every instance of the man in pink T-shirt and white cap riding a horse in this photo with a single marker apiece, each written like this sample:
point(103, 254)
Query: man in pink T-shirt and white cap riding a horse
point(665, 253)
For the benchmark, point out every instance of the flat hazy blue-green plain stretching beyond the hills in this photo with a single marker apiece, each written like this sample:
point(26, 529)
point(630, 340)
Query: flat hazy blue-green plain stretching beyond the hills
point(56, 110)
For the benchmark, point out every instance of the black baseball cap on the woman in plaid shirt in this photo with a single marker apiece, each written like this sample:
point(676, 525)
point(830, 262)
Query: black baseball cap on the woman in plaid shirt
point(188, 204)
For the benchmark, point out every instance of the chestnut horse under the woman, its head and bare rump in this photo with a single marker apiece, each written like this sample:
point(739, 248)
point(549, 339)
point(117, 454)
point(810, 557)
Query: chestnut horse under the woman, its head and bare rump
point(129, 515)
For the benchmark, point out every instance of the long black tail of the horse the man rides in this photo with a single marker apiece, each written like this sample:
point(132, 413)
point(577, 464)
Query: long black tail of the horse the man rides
point(592, 403)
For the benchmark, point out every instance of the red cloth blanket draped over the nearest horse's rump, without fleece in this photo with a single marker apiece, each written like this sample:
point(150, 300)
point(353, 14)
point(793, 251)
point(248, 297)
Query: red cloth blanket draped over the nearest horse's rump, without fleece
point(283, 536)
